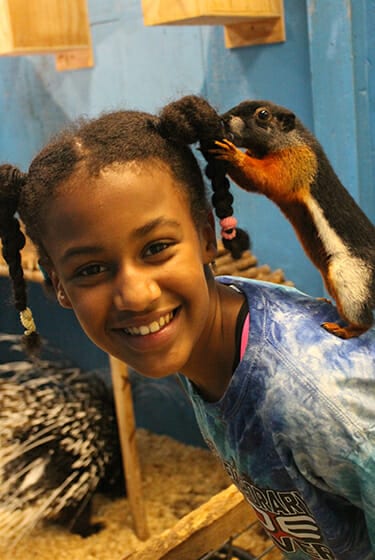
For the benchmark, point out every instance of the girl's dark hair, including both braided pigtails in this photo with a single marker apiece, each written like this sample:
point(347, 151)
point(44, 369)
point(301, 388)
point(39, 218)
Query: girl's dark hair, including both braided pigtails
point(115, 137)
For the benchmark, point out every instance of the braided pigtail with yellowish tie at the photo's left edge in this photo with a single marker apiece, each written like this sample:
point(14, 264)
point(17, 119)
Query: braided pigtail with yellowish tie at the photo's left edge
point(13, 241)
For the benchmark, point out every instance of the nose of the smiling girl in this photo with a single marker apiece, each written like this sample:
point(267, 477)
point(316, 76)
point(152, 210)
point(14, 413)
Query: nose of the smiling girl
point(135, 290)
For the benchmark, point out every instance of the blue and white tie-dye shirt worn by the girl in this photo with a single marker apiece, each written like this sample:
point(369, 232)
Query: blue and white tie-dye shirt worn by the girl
point(295, 428)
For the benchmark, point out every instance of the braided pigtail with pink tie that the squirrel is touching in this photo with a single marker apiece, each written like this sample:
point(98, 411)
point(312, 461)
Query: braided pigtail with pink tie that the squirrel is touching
point(192, 119)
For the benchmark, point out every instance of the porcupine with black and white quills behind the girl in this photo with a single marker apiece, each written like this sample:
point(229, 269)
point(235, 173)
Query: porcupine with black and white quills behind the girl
point(58, 445)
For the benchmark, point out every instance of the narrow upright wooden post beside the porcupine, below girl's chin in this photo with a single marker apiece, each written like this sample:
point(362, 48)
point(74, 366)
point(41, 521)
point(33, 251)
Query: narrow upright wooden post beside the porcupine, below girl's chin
point(127, 431)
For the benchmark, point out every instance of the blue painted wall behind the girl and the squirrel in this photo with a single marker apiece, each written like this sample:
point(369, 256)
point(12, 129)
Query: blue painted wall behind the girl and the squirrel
point(322, 72)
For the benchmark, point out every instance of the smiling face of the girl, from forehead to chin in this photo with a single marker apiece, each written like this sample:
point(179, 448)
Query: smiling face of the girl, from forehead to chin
point(129, 260)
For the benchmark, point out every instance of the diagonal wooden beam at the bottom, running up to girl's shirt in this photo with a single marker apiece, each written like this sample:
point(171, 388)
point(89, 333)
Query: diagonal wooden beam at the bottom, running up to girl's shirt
point(203, 530)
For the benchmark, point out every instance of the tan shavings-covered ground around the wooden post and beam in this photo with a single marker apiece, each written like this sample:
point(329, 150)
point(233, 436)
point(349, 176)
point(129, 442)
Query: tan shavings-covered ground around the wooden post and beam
point(176, 479)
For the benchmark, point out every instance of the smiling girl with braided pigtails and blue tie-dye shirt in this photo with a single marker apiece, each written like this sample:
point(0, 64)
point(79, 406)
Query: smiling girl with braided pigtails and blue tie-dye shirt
point(118, 211)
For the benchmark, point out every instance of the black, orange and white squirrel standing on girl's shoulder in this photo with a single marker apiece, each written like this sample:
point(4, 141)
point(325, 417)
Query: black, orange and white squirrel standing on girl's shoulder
point(285, 162)
